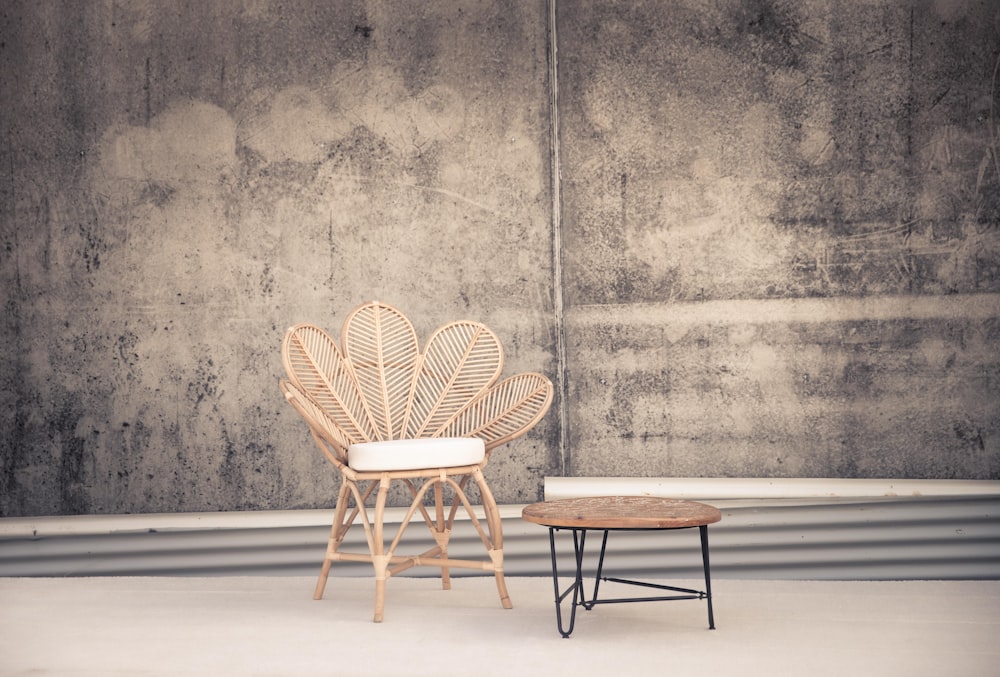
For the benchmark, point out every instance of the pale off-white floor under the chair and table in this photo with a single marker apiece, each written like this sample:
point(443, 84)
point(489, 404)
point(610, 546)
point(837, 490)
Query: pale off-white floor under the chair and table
point(271, 626)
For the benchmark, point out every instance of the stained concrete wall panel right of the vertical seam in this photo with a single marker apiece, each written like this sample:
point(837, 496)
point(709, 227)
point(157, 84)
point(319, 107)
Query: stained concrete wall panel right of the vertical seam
point(781, 238)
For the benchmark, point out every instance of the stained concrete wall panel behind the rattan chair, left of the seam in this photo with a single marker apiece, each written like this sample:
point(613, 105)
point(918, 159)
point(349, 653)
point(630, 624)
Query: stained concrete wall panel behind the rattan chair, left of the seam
point(183, 181)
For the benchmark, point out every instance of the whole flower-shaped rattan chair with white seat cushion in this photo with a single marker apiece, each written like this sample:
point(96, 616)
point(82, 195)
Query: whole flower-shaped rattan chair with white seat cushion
point(384, 411)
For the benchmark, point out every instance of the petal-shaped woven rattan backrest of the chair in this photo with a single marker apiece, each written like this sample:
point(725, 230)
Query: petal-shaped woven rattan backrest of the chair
point(381, 386)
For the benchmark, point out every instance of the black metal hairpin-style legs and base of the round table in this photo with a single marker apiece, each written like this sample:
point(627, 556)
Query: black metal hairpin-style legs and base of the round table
point(577, 588)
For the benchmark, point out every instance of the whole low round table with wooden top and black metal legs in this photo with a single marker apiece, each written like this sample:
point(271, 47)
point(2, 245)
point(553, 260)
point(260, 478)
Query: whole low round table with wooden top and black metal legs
point(613, 513)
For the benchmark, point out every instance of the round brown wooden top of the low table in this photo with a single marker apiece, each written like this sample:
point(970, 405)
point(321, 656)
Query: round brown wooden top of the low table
point(621, 512)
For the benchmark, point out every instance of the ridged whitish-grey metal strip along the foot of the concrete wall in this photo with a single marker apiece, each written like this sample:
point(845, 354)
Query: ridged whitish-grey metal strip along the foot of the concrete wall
point(930, 534)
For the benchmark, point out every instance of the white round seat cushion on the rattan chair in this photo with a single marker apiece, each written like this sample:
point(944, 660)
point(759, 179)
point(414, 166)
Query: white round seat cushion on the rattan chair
point(436, 452)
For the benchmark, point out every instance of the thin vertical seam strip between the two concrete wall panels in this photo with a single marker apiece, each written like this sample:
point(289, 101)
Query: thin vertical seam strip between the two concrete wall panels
point(557, 270)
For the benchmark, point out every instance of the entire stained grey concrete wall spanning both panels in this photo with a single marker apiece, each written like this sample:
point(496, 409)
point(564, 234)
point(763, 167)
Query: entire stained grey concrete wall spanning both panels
point(773, 248)
